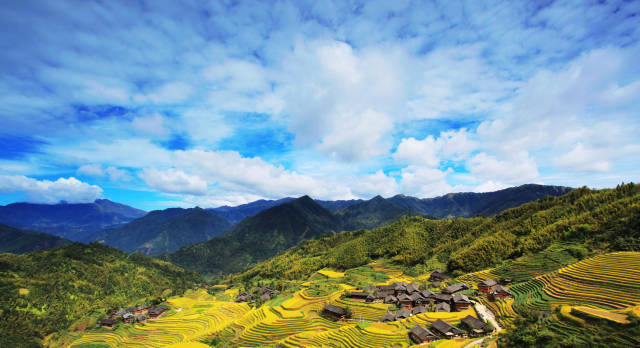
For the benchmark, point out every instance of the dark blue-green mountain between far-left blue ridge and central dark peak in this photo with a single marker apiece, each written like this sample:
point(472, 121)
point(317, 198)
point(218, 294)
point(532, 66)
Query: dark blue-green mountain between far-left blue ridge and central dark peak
point(165, 231)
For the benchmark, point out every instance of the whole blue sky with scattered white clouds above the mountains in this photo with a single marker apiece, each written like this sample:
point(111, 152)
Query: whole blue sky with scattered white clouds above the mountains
point(182, 103)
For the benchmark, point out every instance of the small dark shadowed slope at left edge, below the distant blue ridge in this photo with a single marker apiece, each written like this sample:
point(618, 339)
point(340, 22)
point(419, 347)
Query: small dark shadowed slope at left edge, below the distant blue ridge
point(13, 240)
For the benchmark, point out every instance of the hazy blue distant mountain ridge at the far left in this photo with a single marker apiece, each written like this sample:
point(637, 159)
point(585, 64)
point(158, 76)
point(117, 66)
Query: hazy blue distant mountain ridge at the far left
point(73, 221)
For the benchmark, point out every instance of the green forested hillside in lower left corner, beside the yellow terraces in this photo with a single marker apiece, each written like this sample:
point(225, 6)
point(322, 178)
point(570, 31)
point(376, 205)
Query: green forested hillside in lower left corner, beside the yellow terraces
point(46, 291)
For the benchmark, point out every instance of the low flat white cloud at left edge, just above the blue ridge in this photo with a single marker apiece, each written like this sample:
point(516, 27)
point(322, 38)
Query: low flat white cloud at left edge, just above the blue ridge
point(46, 191)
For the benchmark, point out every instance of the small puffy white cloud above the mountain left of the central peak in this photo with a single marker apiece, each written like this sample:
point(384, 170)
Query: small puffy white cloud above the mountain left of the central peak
point(174, 181)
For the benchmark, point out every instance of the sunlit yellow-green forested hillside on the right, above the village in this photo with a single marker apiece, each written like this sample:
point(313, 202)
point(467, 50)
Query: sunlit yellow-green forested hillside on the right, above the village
point(599, 219)
